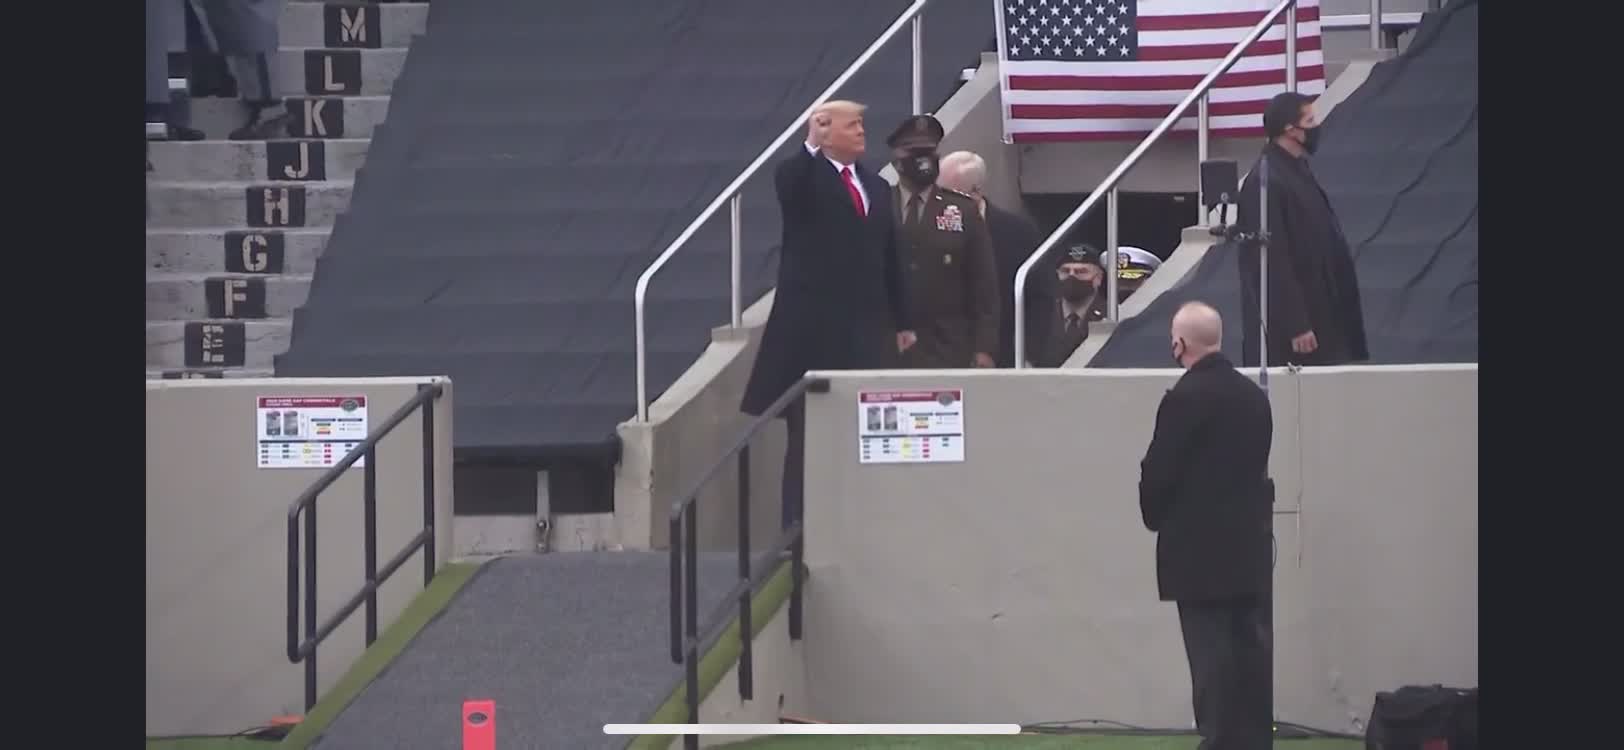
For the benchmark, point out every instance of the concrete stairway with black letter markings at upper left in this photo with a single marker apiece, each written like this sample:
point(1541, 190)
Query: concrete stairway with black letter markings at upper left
point(235, 228)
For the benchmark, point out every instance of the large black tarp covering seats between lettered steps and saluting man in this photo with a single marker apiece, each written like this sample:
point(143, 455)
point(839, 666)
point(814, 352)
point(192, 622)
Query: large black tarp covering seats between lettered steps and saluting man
point(535, 162)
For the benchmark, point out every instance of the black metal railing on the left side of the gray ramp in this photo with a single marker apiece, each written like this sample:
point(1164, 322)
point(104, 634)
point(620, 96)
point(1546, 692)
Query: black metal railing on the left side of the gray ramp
point(314, 634)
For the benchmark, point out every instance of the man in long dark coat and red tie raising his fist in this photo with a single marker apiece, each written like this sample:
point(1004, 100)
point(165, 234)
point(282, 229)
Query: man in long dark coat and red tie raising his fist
point(840, 301)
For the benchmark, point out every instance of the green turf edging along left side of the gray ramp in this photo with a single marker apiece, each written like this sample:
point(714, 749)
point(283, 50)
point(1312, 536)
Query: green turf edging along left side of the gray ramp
point(423, 610)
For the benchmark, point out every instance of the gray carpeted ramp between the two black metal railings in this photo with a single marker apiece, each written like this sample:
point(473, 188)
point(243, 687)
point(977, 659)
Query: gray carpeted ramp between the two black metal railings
point(563, 644)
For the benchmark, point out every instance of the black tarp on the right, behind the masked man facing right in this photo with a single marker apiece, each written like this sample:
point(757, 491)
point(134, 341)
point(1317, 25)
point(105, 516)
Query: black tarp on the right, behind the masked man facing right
point(1399, 160)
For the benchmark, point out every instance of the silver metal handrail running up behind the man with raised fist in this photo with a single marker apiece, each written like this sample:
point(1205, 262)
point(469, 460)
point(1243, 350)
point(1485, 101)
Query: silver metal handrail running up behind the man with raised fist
point(732, 192)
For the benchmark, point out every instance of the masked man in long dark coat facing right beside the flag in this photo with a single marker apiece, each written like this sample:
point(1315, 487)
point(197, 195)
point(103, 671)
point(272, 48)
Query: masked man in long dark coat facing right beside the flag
point(1315, 311)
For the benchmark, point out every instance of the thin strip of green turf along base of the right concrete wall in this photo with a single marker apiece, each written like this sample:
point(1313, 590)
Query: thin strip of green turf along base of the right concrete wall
point(1017, 743)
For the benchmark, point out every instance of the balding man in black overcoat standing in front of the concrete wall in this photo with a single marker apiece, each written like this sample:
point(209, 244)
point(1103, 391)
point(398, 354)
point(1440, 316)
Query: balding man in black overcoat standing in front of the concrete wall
point(1204, 489)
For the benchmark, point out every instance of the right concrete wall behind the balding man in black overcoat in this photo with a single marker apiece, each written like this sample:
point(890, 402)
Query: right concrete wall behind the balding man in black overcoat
point(1021, 584)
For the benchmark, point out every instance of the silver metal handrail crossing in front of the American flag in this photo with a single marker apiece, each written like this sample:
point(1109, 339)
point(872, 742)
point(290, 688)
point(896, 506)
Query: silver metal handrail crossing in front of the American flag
point(1108, 187)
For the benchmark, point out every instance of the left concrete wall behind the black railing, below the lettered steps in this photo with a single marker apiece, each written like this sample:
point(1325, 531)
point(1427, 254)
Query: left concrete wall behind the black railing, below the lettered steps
point(217, 548)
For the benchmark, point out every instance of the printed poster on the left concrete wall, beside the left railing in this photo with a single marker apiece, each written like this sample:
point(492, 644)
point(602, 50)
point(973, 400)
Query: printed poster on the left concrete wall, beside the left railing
point(309, 433)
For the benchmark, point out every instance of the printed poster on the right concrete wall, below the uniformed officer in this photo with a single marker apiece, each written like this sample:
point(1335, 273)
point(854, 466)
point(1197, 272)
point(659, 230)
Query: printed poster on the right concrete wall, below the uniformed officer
point(910, 428)
